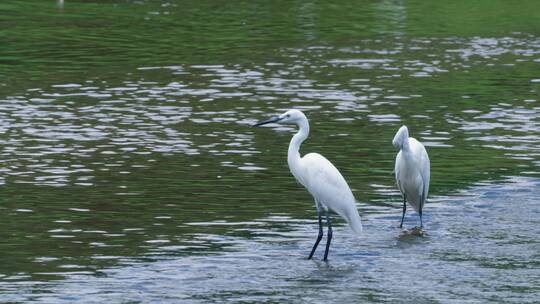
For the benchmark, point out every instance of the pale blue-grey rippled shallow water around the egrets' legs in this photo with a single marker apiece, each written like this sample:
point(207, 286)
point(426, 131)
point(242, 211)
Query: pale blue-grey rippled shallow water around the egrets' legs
point(481, 246)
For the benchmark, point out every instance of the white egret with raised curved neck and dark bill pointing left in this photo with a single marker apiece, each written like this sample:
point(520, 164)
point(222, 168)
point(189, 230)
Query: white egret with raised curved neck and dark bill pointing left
point(320, 178)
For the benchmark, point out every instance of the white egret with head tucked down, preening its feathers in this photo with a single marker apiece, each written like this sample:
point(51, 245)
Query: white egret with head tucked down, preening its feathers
point(412, 171)
